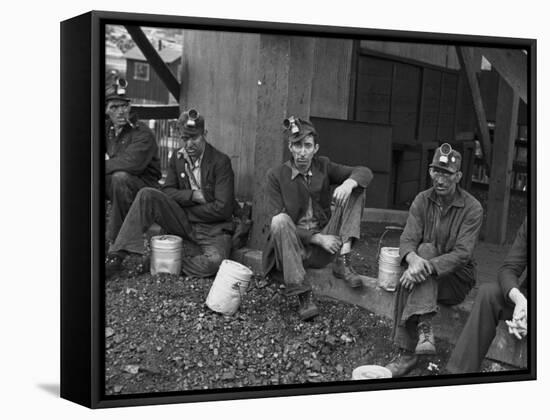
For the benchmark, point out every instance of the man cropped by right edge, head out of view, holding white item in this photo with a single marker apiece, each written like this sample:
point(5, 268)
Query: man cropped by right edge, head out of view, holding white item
point(500, 300)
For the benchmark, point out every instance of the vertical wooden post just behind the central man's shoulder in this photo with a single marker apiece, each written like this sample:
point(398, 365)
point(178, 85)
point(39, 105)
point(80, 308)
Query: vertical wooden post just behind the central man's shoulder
point(272, 101)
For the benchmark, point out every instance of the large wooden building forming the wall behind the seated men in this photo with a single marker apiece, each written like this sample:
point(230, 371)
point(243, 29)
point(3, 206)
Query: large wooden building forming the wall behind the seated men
point(386, 105)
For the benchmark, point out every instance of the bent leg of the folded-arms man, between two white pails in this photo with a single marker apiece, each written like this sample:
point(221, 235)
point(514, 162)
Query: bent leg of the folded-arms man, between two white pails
point(213, 248)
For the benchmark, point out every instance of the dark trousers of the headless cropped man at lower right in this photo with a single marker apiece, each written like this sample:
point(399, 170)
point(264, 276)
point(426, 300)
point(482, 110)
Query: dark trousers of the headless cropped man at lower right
point(489, 308)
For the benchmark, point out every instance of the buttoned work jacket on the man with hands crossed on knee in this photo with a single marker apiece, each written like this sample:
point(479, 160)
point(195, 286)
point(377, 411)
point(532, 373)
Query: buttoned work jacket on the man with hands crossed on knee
point(454, 231)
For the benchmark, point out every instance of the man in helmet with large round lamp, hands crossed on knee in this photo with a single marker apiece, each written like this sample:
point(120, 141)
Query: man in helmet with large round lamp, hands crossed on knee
point(437, 244)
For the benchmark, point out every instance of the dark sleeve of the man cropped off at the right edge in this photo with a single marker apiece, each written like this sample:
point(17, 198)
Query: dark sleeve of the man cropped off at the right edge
point(515, 262)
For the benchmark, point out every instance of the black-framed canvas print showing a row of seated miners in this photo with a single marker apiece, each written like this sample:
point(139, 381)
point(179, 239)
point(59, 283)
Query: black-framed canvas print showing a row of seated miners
point(134, 90)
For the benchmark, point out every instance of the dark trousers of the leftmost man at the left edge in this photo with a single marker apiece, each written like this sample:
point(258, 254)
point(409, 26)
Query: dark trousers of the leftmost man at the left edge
point(121, 189)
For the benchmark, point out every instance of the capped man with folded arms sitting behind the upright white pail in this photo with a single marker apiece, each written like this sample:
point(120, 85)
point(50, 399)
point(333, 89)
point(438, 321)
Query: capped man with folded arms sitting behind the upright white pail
point(195, 203)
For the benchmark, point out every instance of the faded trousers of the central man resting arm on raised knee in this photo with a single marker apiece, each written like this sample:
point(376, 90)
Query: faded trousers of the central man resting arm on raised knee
point(292, 257)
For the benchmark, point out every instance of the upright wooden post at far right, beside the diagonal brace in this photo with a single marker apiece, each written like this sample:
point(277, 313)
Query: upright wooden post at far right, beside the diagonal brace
point(503, 155)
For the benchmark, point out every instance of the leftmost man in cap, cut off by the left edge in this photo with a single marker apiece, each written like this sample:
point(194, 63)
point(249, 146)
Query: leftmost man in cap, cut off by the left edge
point(131, 158)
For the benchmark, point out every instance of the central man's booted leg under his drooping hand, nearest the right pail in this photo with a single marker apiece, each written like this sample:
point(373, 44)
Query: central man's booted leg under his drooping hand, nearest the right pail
point(346, 223)
